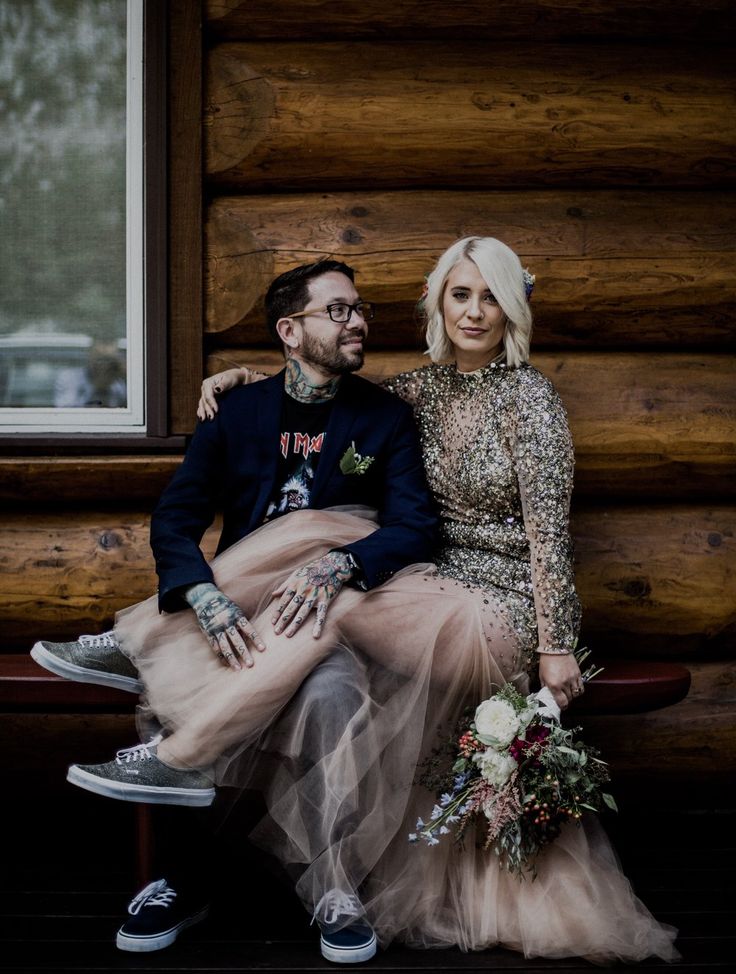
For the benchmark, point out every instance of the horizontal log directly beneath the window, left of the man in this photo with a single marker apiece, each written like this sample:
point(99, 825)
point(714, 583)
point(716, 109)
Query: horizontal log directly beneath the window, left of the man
point(37, 480)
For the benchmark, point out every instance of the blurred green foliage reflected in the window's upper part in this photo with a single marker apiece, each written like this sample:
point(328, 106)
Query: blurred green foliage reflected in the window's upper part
point(62, 165)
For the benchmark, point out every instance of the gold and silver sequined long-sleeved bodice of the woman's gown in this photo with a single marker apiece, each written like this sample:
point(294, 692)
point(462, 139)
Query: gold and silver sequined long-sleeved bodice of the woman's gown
point(499, 459)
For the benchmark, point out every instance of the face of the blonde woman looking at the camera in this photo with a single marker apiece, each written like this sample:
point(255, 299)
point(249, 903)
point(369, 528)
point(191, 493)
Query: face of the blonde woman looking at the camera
point(474, 322)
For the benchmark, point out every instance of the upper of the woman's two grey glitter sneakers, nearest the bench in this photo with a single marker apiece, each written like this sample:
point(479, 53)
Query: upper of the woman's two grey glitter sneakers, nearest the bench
point(90, 659)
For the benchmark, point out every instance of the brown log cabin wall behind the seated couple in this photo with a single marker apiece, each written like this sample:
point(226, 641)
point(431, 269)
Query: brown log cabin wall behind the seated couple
point(596, 138)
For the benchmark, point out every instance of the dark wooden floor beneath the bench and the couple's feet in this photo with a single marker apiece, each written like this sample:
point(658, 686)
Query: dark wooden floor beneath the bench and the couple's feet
point(67, 881)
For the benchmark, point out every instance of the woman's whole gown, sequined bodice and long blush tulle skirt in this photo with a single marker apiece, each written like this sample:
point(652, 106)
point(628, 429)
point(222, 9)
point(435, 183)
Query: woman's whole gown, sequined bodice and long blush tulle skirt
point(333, 731)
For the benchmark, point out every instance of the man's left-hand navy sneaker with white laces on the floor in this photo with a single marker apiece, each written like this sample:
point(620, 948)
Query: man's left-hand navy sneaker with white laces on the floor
point(157, 917)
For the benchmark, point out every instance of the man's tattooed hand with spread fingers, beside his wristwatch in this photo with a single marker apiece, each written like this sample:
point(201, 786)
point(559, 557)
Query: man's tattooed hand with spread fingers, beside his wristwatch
point(314, 585)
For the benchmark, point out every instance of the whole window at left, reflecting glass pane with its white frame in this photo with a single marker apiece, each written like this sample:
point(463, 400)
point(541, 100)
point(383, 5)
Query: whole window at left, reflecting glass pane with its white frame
point(66, 125)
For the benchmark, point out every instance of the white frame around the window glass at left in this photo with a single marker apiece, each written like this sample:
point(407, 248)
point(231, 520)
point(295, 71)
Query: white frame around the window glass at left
point(131, 419)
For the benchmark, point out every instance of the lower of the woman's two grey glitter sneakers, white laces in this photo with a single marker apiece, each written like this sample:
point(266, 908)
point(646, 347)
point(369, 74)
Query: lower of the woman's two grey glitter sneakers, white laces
point(137, 775)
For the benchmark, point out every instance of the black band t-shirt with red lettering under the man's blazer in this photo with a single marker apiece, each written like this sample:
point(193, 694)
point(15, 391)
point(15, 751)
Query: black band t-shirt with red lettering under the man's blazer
point(302, 436)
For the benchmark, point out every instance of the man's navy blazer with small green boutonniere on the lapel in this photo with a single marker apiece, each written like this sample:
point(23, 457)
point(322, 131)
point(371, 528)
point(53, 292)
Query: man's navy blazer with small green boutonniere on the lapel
point(232, 464)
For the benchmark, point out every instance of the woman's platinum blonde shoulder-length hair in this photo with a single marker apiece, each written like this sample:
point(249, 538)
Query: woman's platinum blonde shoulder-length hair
point(502, 271)
